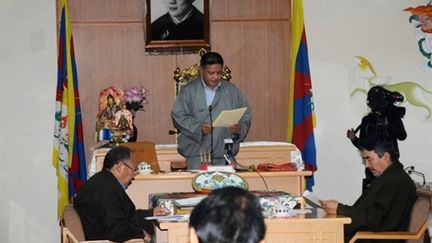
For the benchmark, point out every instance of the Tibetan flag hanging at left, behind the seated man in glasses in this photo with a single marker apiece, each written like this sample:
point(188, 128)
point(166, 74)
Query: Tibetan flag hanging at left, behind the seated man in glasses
point(68, 151)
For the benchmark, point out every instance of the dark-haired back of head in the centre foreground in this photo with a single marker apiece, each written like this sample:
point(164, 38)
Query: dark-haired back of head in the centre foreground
point(228, 215)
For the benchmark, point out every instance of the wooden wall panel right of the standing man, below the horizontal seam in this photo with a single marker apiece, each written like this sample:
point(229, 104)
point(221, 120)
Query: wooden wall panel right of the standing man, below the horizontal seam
point(253, 51)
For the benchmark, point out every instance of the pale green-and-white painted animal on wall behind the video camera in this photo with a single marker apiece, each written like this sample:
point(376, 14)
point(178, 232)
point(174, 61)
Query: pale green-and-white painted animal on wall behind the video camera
point(414, 93)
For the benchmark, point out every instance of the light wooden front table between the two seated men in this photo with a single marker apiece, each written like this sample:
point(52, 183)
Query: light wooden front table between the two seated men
point(316, 227)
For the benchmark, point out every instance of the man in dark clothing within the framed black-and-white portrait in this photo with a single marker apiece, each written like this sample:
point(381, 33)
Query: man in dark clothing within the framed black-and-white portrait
point(183, 21)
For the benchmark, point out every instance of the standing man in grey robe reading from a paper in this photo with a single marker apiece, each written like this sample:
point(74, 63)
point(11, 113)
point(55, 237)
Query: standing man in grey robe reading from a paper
point(202, 97)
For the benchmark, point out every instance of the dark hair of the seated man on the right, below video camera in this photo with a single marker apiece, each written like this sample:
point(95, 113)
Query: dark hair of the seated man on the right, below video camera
point(379, 145)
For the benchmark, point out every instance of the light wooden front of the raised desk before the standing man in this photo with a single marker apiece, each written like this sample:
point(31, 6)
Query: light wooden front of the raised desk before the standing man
point(288, 181)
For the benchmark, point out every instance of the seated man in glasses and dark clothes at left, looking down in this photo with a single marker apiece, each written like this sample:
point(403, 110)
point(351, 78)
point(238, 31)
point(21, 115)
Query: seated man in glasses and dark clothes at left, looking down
point(106, 211)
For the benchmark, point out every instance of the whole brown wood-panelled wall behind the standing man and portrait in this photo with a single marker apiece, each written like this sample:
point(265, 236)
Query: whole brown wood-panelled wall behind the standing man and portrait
point(252, 36)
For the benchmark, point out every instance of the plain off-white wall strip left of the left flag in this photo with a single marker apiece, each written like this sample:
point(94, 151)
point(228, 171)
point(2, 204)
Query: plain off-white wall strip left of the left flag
point(27, 78)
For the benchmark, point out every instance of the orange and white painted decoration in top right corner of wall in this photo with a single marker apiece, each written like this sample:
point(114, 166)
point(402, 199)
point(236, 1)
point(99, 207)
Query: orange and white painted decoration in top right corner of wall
point(421, 18)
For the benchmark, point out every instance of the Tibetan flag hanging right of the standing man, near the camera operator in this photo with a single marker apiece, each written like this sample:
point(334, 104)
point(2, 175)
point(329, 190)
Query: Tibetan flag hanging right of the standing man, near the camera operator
point(301, 117)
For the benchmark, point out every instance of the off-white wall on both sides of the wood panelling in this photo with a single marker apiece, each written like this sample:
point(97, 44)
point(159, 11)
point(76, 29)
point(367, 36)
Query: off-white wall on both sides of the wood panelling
point(337, 31)
